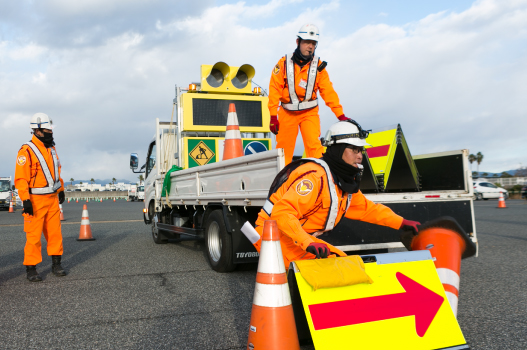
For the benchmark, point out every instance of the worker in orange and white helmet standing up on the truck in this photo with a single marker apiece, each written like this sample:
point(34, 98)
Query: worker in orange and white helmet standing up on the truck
point(295, 81)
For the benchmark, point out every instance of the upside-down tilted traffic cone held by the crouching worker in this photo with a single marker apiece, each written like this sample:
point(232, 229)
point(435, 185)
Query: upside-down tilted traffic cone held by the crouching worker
point(448, 244)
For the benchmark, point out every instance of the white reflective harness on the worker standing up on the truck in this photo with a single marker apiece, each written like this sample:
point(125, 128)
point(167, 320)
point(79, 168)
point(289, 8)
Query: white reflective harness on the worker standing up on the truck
point(307, 103)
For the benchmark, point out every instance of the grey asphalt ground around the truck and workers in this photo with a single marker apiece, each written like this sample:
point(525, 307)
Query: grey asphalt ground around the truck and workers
point(125, 292)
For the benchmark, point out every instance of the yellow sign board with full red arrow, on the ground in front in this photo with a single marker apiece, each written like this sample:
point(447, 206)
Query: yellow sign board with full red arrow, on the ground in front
point(404, 308)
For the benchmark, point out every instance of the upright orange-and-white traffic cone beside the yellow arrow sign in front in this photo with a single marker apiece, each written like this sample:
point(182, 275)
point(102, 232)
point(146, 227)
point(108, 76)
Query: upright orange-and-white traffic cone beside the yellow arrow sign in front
point(272, 320)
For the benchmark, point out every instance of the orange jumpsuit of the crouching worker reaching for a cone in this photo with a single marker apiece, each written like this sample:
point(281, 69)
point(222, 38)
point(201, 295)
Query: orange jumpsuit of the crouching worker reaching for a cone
point(301, 206)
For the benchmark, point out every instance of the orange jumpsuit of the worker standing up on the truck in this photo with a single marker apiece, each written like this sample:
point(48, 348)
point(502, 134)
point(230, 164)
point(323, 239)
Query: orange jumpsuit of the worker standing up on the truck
point(308, 120)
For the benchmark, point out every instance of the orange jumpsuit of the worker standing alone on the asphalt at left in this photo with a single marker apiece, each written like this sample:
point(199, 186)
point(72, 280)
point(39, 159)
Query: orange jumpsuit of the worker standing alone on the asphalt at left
point(46, 212)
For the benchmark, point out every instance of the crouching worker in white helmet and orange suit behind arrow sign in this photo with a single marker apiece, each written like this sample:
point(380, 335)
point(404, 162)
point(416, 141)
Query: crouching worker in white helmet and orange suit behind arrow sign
point(310, 196)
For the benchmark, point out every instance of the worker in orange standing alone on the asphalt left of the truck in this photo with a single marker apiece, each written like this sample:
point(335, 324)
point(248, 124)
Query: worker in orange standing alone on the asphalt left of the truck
point(41, 189)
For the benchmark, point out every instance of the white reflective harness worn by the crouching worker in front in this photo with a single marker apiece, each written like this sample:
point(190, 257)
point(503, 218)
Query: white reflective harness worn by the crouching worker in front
point(282, 177)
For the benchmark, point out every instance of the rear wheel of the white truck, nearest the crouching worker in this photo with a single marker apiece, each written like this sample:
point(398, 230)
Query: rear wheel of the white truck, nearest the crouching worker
point(219, 243)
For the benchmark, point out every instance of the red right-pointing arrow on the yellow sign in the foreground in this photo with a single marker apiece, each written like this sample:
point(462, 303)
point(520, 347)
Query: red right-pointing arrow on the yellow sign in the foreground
point(417, 301)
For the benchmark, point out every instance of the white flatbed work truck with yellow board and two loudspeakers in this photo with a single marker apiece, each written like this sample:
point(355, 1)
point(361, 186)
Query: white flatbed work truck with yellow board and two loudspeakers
point(191, 194)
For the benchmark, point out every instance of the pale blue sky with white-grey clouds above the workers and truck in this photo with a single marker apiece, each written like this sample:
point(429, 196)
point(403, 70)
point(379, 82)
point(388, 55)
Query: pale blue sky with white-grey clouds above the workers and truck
point(453, 73)
